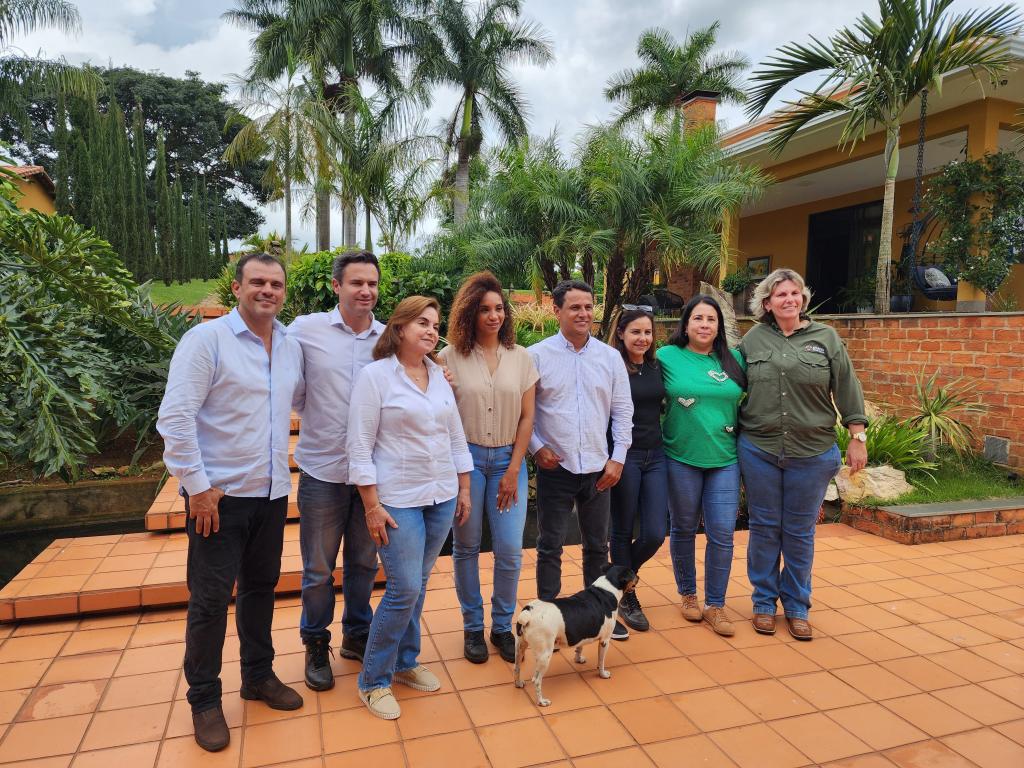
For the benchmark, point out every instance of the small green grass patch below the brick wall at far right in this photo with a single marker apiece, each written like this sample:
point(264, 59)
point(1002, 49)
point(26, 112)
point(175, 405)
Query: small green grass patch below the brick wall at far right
point(958, 481)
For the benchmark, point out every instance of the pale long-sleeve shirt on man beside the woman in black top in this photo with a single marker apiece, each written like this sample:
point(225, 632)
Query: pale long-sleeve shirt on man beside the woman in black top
point(577, 395)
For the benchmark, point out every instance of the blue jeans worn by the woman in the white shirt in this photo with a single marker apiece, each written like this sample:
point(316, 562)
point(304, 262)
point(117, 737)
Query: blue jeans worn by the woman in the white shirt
point(412, 549)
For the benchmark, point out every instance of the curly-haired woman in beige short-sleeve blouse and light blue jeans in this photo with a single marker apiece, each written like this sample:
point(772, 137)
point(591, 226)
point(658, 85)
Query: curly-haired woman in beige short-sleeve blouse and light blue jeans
point(494, 380)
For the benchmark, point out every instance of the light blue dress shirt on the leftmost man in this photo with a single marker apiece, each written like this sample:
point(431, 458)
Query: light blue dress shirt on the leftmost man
point(227, 412)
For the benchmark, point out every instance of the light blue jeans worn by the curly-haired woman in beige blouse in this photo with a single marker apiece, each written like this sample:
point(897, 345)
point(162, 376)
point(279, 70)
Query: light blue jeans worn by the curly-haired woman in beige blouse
point(506, 541)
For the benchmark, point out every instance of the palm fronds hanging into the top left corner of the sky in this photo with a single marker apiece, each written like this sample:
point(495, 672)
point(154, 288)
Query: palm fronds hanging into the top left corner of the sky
point(18, 71)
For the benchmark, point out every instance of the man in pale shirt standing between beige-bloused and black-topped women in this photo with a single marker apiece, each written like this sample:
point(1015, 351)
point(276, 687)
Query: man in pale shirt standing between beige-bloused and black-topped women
point(583, 383)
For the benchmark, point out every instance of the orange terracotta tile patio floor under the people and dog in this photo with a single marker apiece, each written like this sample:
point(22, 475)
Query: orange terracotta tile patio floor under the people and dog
point(907, 670)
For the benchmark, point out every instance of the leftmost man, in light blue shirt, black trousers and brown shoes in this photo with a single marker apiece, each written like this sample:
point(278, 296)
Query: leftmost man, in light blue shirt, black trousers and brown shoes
point(226, 421)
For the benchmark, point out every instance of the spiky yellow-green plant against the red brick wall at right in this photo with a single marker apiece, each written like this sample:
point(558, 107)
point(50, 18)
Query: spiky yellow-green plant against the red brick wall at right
point(940, 411)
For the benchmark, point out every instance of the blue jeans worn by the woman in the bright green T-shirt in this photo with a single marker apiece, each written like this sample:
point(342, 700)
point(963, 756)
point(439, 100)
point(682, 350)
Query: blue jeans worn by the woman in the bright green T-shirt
point(713, 494)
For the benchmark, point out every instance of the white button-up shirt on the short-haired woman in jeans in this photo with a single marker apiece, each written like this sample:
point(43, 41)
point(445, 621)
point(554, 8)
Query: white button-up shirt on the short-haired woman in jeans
point(408, 443)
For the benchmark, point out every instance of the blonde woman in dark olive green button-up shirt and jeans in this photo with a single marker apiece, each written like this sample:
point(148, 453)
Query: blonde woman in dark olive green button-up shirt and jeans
point(799, 374)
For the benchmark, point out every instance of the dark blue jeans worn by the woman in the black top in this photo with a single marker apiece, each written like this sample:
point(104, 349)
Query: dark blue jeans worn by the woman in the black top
point(643, 494)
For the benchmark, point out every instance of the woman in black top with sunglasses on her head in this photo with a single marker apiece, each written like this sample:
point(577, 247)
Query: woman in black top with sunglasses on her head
point(642, 494)
